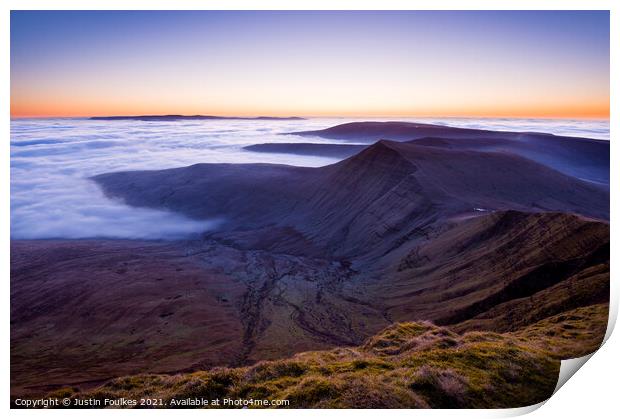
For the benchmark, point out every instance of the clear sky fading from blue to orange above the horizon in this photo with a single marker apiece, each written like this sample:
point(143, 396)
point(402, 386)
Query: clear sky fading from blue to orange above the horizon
point(379, 63)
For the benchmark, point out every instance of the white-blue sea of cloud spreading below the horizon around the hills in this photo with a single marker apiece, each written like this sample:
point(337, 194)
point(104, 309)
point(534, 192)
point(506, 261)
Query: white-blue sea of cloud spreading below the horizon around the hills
point(53, 159)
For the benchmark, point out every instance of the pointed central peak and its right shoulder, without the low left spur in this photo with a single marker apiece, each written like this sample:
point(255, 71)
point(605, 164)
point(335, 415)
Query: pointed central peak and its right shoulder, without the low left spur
point(379, 199)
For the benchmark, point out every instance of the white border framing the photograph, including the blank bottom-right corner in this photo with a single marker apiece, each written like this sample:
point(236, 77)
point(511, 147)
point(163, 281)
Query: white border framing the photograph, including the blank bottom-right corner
point(597, 383)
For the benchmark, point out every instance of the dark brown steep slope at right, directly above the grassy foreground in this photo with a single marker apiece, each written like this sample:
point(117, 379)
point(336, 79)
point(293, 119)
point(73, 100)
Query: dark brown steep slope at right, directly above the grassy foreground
point(495, 266)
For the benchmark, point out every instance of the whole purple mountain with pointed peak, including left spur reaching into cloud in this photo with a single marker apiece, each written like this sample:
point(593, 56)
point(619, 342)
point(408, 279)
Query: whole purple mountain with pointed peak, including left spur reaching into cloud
point(363, 204)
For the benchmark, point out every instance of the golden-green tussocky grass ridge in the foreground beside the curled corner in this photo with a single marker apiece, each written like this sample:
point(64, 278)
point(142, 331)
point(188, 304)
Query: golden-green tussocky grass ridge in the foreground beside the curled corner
point(407, 365)
